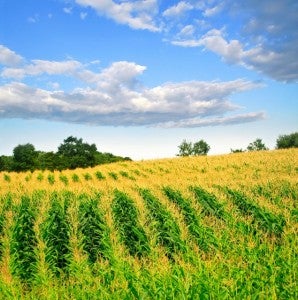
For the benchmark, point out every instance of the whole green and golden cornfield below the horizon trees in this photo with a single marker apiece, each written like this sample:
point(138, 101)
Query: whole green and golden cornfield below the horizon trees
point(215, 227)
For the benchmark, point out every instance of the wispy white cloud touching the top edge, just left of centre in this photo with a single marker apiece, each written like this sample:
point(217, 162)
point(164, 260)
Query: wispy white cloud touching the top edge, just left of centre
point(136, 14)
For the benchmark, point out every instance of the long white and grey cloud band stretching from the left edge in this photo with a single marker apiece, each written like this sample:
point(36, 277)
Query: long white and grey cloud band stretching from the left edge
point(114, 96)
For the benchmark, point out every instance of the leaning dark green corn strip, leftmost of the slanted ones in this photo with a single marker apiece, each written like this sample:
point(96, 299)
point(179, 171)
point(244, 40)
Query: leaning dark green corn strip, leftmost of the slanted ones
point(126, 221)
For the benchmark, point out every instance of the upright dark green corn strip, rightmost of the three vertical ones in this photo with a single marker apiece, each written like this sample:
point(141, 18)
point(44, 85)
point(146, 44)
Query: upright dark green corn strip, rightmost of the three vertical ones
point(94, 231)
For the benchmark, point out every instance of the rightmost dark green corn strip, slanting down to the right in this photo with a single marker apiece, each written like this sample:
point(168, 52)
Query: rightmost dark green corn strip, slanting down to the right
point(265, 219)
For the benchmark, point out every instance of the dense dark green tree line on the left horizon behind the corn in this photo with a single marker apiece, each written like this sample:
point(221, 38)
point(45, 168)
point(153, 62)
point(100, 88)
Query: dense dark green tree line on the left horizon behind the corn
point(72, 153)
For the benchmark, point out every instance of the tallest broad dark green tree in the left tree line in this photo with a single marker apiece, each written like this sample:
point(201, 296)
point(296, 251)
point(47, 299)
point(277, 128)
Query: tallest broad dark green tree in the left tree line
point(76, 154)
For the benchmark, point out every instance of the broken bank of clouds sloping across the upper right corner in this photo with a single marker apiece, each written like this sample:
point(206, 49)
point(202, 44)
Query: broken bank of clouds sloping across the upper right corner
point(259, 35)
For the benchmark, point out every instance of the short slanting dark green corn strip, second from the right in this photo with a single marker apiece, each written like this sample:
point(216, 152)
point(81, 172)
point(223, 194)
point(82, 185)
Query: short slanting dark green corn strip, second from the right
point(209, 203)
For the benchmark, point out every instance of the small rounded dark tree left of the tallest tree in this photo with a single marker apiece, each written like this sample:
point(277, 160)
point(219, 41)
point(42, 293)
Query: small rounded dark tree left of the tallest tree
point(24, 157)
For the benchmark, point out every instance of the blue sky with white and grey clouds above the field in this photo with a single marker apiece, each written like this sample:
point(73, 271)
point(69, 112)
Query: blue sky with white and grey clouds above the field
point(137, 77)
